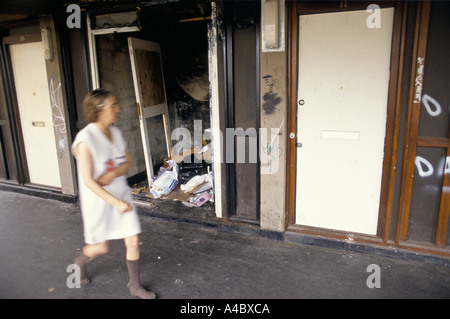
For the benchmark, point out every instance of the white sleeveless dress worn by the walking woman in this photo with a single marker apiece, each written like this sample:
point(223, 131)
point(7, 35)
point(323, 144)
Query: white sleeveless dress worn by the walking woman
point(102, 221)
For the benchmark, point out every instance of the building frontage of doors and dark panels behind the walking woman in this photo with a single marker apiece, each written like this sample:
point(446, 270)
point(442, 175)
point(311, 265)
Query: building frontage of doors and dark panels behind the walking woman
point(321, 122)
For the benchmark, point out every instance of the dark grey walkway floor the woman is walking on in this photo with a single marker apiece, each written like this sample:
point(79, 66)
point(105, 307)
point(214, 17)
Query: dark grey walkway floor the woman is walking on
point(39, 239)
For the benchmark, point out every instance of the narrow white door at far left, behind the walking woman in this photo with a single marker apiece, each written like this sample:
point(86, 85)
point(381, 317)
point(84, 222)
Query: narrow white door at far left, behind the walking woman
point(35, 109)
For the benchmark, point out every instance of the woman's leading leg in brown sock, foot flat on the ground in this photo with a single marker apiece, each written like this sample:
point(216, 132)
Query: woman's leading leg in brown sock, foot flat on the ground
point(133, 264)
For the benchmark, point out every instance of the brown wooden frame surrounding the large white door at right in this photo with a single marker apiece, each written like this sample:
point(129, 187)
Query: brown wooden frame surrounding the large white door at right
point(392, 124)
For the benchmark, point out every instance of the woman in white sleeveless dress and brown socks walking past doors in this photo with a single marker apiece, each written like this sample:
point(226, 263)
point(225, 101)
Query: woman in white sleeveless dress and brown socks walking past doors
point(105, 197)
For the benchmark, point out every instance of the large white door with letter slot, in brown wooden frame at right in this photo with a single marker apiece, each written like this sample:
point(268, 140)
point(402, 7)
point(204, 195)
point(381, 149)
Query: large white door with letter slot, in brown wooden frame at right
point(341, 120)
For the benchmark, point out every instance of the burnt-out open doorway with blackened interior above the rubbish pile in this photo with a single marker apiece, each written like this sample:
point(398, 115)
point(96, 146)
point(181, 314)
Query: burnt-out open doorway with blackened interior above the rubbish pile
point(181, 32)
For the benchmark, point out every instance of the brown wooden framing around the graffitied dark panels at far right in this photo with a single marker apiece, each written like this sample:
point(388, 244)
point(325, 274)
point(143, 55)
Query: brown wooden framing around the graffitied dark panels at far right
point(413, 140)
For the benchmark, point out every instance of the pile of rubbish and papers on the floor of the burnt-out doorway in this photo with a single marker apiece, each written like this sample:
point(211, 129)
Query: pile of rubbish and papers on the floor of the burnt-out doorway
point(187, 179)
